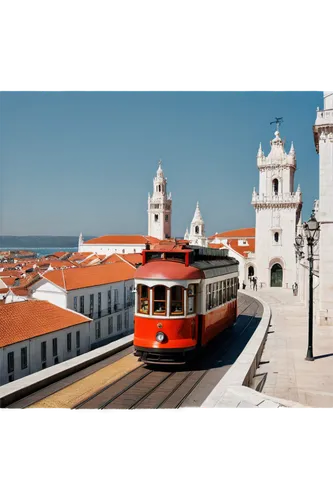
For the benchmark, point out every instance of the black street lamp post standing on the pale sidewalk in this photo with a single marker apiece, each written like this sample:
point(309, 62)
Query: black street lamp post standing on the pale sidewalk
point(311, 232)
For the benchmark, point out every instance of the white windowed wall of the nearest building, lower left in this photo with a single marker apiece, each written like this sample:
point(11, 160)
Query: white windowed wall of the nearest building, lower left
point(34, 351)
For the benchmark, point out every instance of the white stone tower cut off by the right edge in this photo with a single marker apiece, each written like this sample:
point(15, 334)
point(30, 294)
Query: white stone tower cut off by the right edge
point(323, 135)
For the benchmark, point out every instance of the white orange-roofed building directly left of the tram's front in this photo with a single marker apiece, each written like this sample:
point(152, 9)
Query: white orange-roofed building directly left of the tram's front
point(103, 293)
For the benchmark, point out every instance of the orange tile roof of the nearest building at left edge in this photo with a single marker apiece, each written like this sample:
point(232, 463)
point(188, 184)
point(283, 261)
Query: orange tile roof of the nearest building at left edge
point(25, 320)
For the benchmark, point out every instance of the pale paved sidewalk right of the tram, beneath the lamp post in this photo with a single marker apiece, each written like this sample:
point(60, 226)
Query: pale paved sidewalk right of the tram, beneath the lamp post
point(289, 376)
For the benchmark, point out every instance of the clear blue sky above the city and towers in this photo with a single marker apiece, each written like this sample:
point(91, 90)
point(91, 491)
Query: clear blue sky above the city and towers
point(75, 161)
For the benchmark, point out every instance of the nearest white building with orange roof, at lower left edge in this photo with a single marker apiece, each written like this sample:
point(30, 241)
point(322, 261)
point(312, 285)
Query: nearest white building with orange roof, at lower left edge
point(36, 334)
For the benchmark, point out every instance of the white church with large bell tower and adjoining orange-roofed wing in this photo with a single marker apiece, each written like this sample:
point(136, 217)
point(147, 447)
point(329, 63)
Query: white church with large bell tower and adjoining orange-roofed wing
point(267, 251)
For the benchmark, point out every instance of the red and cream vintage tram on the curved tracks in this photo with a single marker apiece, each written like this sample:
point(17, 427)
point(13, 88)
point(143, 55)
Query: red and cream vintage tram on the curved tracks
point(185, 297)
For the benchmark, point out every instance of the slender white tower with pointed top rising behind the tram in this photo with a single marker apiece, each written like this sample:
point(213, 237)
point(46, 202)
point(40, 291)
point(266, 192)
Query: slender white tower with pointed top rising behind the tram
point(159, 208)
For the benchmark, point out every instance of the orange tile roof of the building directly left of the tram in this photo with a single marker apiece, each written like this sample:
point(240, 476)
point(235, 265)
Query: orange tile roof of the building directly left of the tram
point(85, 277)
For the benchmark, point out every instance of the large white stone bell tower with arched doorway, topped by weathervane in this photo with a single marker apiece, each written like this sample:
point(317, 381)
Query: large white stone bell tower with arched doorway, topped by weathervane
point(278, 211)
